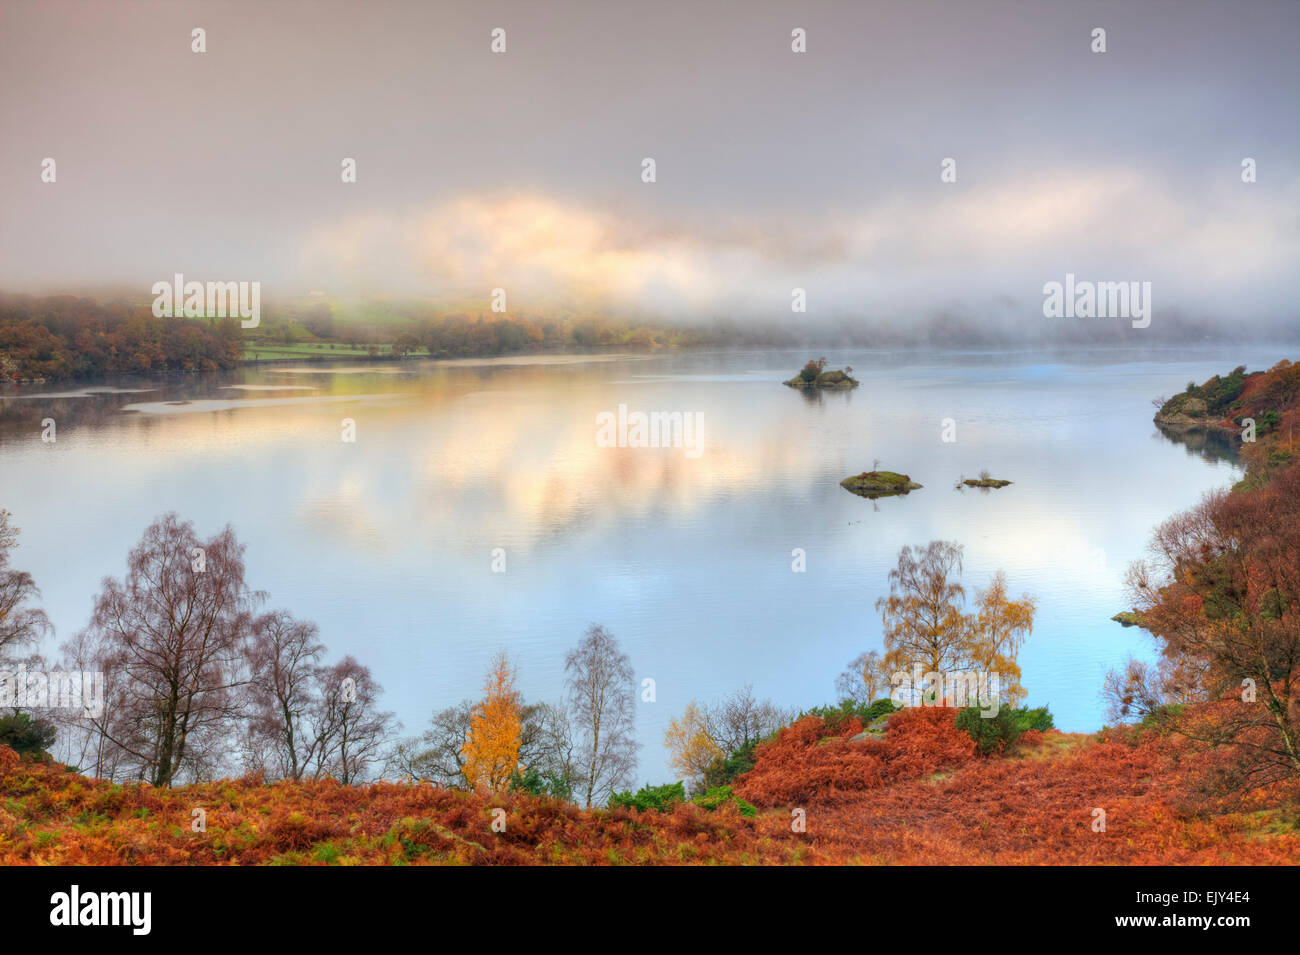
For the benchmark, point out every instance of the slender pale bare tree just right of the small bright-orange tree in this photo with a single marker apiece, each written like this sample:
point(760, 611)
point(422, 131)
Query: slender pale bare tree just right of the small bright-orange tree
point(603, 702)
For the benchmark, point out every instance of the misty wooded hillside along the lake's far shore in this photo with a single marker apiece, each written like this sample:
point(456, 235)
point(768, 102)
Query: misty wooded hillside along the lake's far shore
point(112, 333)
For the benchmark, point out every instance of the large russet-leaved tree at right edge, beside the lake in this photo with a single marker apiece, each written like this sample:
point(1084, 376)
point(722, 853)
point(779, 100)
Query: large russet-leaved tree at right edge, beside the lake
point(1223, 594)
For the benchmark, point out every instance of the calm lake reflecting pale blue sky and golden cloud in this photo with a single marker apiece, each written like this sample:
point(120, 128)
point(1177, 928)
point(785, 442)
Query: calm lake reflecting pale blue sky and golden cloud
point(388, 542)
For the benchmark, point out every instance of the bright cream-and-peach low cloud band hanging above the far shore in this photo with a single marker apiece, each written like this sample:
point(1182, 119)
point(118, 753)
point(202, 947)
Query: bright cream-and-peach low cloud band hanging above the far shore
point(965, 246)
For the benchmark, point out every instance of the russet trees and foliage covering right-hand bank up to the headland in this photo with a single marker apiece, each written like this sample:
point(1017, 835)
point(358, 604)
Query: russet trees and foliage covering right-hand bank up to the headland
point(1221, 593)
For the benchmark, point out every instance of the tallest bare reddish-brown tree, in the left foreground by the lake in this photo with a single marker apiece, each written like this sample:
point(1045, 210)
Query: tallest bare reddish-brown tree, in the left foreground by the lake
point(171, 639)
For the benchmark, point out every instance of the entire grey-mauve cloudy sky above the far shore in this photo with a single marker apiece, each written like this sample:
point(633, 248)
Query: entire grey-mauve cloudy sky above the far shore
point(775, 170)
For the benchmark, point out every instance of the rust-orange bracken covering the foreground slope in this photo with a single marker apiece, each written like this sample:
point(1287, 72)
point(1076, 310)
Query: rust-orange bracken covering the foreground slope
point(1034, 809)
